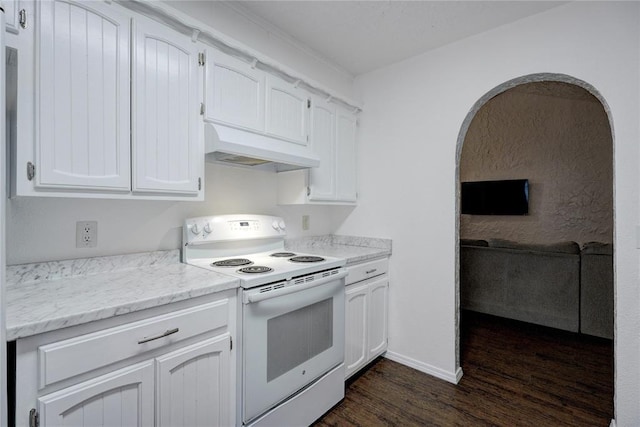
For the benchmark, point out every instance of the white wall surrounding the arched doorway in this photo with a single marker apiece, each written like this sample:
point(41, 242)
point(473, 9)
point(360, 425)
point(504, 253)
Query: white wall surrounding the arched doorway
point(409, 129)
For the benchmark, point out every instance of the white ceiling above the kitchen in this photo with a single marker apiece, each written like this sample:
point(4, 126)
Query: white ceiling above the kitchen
point(361, 36)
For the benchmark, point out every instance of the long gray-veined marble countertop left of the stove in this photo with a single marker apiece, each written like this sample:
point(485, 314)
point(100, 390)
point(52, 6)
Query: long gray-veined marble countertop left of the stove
point(48, 296)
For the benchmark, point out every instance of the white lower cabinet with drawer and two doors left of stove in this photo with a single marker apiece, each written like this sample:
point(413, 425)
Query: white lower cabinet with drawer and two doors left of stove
point(170, 367)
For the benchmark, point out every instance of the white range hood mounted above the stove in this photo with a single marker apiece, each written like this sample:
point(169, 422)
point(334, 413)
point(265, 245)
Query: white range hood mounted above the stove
point(228, 145)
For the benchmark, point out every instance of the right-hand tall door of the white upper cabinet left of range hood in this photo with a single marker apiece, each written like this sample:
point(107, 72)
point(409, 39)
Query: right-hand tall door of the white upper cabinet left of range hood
point(168, 153)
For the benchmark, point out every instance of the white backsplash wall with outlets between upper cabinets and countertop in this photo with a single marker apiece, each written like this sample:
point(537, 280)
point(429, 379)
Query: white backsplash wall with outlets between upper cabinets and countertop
point(43, 229)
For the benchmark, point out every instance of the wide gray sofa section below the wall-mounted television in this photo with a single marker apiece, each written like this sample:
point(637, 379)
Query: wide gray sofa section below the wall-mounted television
point(529, 282)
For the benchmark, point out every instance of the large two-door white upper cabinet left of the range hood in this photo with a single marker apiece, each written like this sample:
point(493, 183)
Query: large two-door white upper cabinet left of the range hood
point(102, 103)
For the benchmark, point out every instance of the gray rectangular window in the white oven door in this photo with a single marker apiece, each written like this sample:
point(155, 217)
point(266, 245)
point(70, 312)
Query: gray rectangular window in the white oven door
point(297, 336)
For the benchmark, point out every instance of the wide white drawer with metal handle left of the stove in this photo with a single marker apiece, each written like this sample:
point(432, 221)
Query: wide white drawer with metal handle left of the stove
point(65, 359)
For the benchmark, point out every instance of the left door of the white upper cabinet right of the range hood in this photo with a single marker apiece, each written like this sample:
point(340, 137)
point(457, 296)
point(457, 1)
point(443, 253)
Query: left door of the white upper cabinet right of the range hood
point(322, 183)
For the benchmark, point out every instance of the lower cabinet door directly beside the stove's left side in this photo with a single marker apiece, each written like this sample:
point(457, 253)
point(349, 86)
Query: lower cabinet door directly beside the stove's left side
point(194, 385)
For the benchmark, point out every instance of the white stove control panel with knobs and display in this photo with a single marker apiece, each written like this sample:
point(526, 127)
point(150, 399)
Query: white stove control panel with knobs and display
point(220, 228)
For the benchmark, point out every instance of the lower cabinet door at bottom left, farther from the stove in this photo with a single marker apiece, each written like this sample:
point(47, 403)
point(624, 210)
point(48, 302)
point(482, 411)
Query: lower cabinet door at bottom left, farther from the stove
point(123, 398)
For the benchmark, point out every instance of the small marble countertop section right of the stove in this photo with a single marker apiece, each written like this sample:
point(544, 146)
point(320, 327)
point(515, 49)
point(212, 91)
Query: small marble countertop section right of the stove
point(354, 249)
